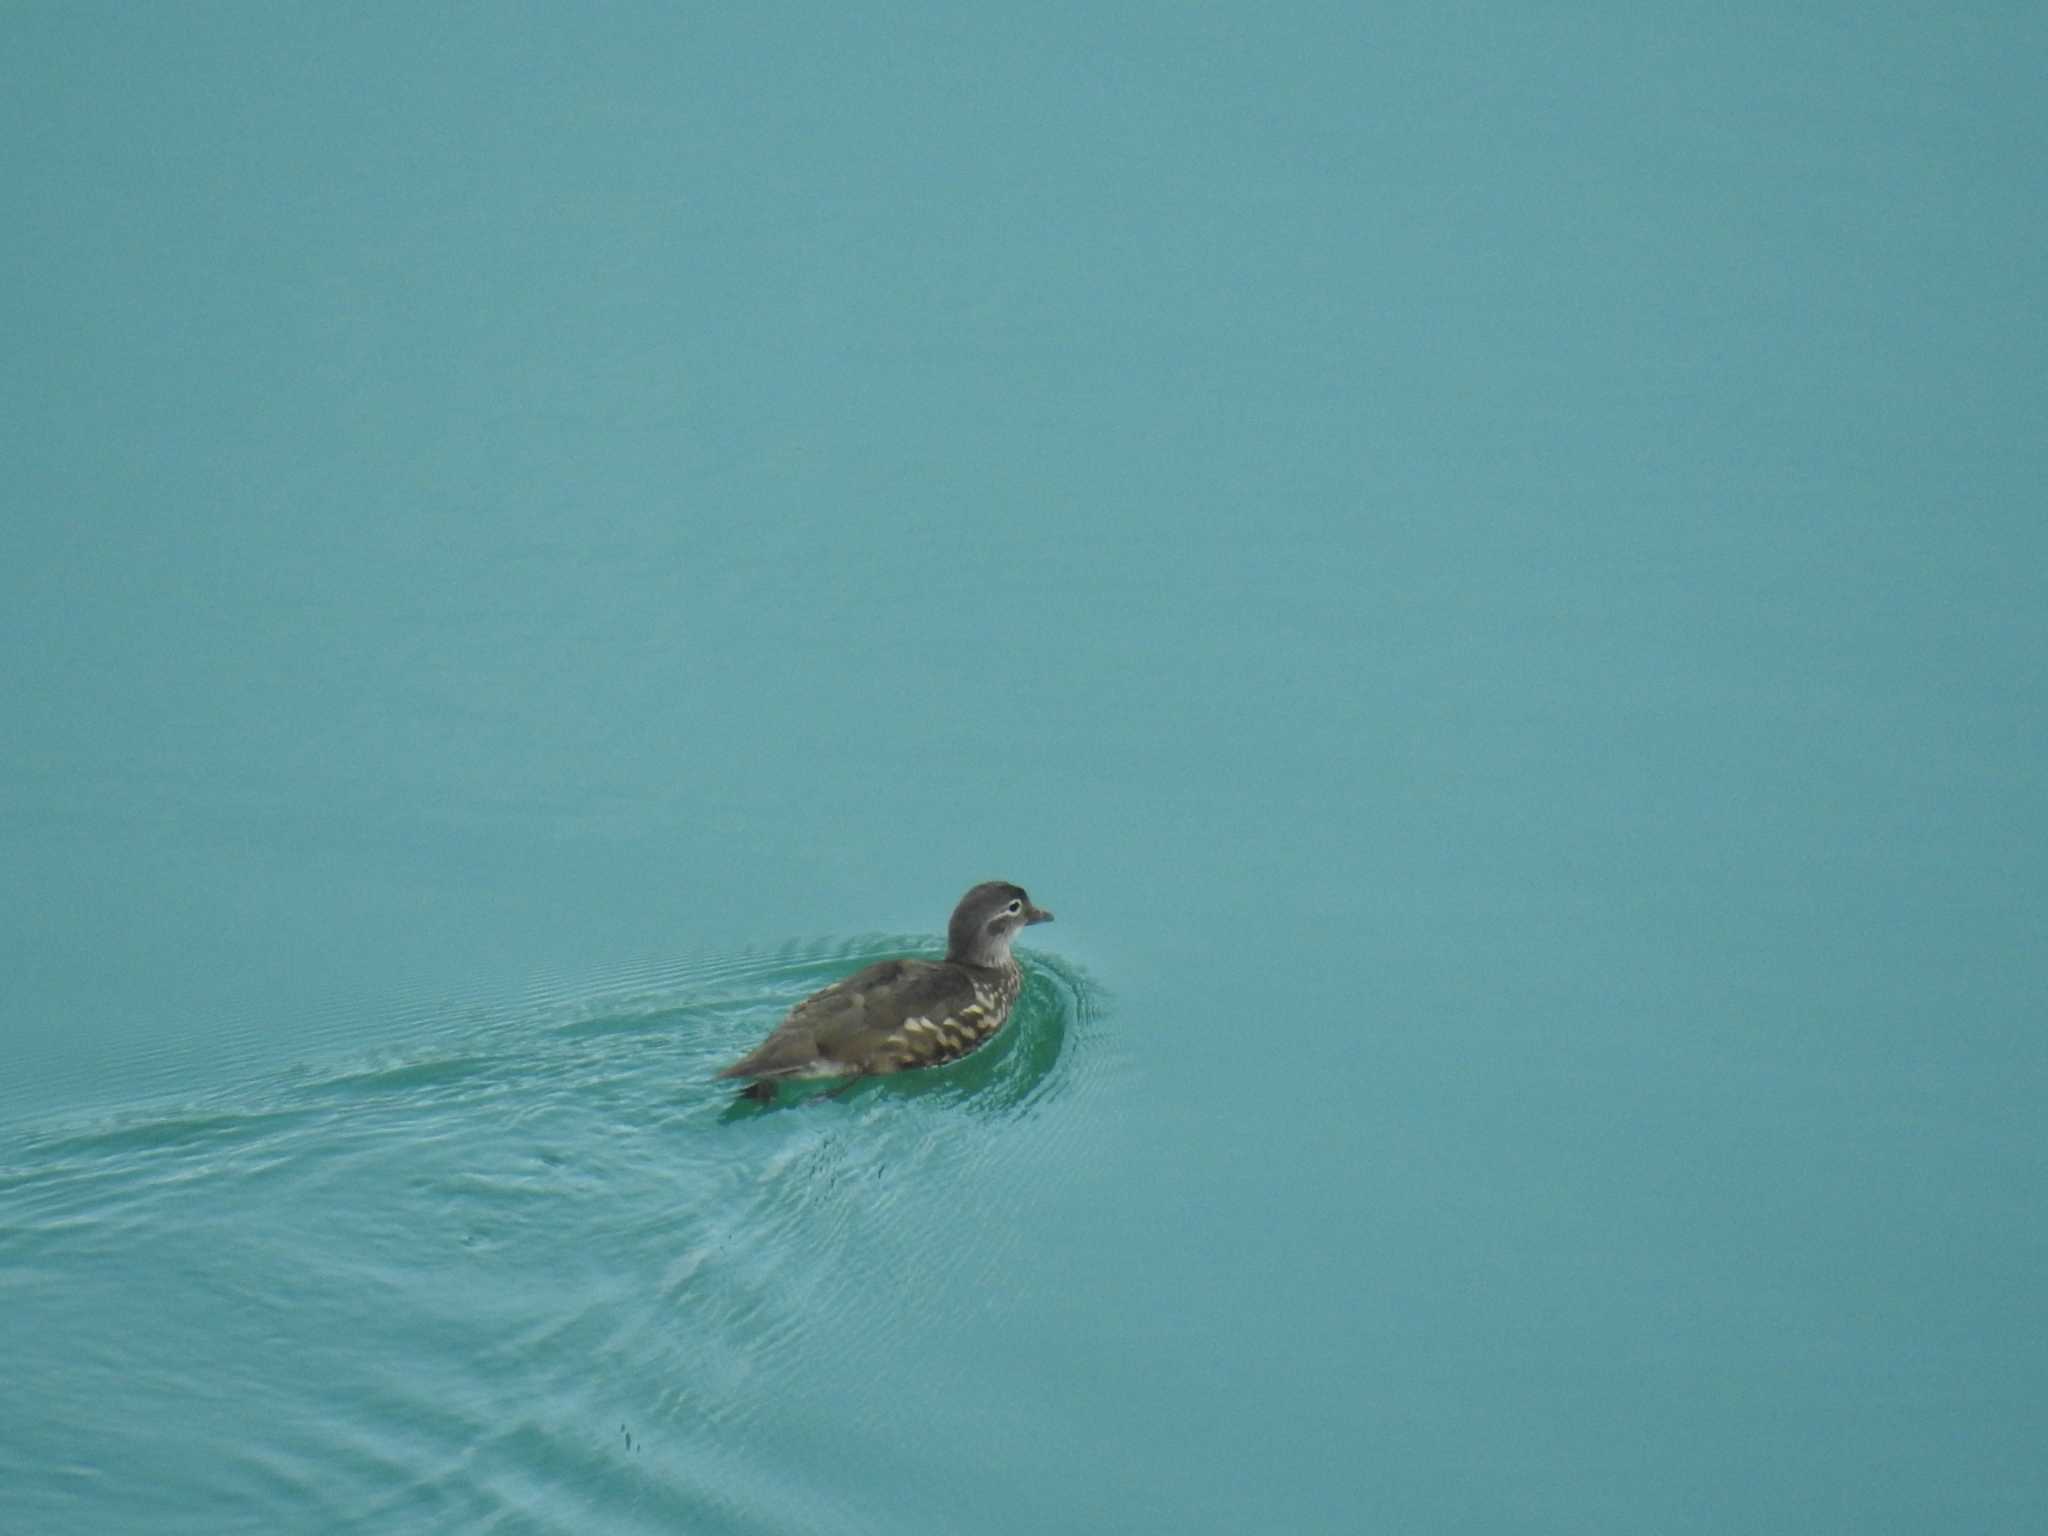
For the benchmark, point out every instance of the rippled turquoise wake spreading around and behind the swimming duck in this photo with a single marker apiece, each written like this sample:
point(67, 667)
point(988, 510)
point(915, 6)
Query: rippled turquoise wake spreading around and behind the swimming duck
point(536, 1269)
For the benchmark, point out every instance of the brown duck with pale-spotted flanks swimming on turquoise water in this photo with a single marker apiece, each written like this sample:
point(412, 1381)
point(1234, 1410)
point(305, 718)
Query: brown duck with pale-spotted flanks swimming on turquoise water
point(902, 1015)
